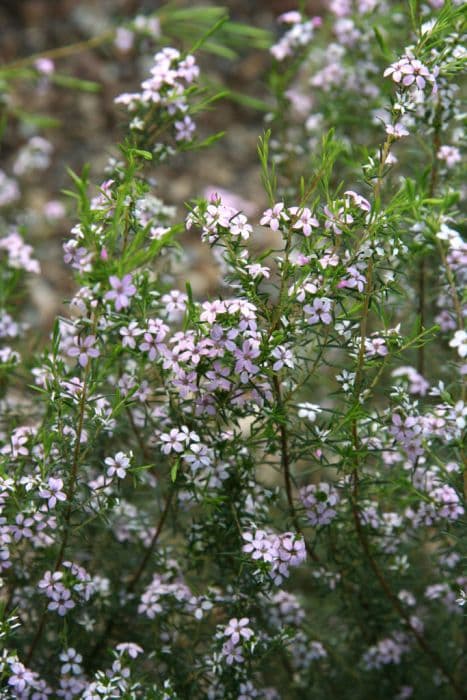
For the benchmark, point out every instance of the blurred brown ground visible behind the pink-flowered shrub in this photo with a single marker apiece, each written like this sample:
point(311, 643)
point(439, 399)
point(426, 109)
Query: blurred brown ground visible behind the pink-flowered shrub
point(84, 125)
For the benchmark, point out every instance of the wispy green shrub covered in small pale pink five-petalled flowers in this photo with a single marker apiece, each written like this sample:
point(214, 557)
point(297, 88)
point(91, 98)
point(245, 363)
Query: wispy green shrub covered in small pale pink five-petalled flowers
point(260, 494)
